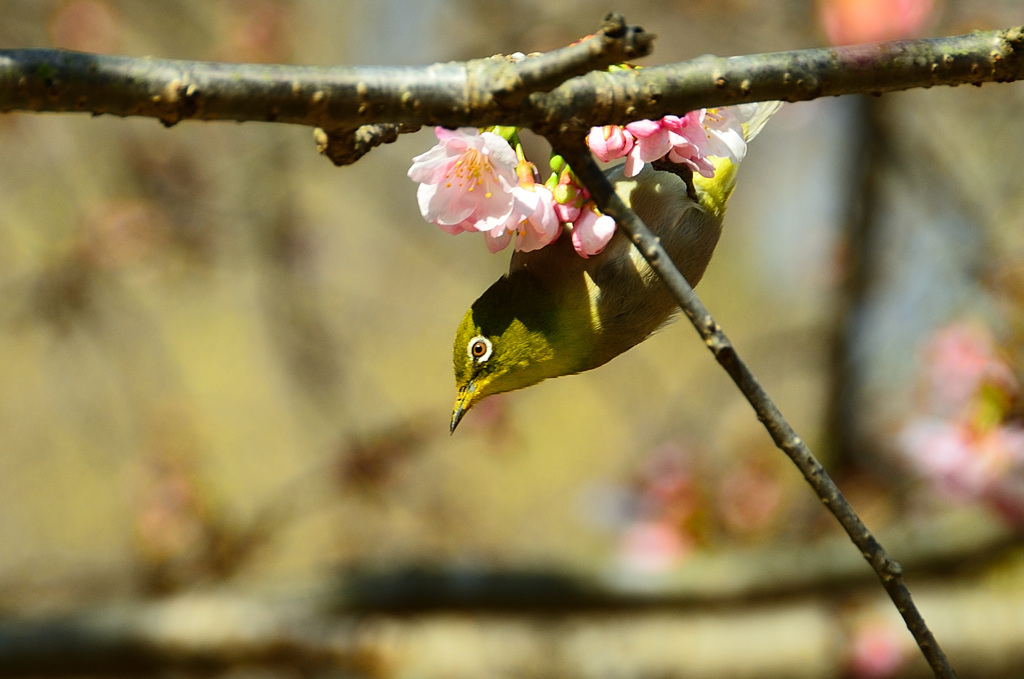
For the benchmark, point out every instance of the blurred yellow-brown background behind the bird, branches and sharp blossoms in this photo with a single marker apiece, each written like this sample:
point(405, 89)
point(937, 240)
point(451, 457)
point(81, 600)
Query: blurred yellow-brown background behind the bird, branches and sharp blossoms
point(226, 380)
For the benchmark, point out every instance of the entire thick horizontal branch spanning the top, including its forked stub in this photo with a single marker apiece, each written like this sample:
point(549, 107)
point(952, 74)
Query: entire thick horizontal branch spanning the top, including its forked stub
point(547, 94)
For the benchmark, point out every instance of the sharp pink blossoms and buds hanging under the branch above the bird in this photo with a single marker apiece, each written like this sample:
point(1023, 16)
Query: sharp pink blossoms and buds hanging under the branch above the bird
point(477, 181)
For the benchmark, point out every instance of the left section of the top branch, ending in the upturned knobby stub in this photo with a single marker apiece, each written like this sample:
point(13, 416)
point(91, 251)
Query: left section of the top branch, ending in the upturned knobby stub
point(173, 91)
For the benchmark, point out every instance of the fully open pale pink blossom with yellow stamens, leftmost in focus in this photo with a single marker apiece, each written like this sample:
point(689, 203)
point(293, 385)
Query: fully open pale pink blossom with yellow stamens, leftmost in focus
point(466, 181)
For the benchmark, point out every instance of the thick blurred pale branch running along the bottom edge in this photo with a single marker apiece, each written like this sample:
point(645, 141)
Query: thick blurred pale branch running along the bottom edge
point(598, 633)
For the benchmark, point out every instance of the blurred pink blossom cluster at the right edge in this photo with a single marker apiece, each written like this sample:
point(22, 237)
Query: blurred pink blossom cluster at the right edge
point(965, 442)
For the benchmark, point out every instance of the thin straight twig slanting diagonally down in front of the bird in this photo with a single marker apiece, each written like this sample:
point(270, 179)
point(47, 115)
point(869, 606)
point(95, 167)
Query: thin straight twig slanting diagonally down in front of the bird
point(888, 570)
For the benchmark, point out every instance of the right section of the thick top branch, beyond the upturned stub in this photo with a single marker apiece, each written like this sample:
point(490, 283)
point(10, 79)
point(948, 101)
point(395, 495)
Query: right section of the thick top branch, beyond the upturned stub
point(795, 76)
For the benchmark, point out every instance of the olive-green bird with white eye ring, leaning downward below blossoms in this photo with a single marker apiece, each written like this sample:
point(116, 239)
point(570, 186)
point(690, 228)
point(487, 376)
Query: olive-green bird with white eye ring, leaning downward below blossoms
point(557, 314)
